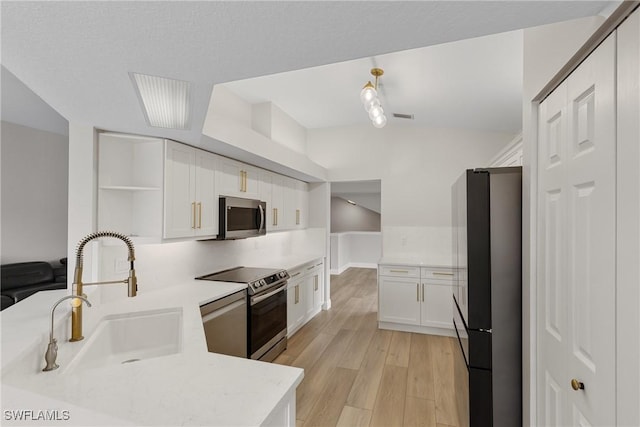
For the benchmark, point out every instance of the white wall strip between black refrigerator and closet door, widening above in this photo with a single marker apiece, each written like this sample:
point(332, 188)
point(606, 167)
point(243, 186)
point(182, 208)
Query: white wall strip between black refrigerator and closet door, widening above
point(546, 49)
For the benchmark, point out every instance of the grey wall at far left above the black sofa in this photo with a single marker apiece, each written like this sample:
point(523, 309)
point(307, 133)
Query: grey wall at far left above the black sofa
point(34, 194)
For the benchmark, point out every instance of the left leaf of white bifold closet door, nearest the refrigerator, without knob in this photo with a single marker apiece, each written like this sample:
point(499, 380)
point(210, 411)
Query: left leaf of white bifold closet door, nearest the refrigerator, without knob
point(552, 260)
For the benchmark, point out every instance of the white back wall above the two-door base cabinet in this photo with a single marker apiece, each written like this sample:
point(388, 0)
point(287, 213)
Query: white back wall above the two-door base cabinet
point(416, 165)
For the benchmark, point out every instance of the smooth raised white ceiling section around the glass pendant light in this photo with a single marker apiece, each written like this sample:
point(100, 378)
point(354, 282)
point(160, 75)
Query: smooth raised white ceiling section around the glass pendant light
point(472, 84)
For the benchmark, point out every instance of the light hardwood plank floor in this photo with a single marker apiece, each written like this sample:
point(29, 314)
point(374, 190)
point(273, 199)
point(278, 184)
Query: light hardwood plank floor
point(359, 375)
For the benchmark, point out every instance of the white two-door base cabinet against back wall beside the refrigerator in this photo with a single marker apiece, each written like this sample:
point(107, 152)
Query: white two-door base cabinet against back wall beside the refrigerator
point(416, 299)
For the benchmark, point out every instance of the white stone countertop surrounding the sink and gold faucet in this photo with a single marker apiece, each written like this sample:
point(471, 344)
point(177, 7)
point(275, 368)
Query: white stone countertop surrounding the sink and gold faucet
point(193, 387)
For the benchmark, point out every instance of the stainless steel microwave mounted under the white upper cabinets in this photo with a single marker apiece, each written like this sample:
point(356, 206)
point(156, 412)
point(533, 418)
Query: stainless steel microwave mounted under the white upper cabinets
point(241, 218)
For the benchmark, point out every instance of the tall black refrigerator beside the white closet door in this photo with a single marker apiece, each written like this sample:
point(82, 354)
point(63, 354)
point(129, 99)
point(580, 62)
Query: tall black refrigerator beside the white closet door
point(487, 250)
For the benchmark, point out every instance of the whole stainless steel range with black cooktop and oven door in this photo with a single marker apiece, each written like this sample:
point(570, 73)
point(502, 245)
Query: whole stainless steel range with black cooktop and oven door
point(267, 310)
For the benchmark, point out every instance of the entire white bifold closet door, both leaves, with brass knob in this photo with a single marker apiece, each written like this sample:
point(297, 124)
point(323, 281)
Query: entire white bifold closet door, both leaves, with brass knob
point(577, 226)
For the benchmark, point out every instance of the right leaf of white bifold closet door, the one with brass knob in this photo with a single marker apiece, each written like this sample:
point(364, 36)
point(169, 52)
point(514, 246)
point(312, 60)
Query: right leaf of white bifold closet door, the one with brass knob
point(591, 194)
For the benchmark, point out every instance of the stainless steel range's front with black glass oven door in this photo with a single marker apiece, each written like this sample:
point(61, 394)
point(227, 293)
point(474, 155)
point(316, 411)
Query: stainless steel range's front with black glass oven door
point(268, 323)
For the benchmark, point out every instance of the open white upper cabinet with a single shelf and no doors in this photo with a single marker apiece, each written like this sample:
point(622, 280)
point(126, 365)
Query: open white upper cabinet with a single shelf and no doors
point(130, 180)
